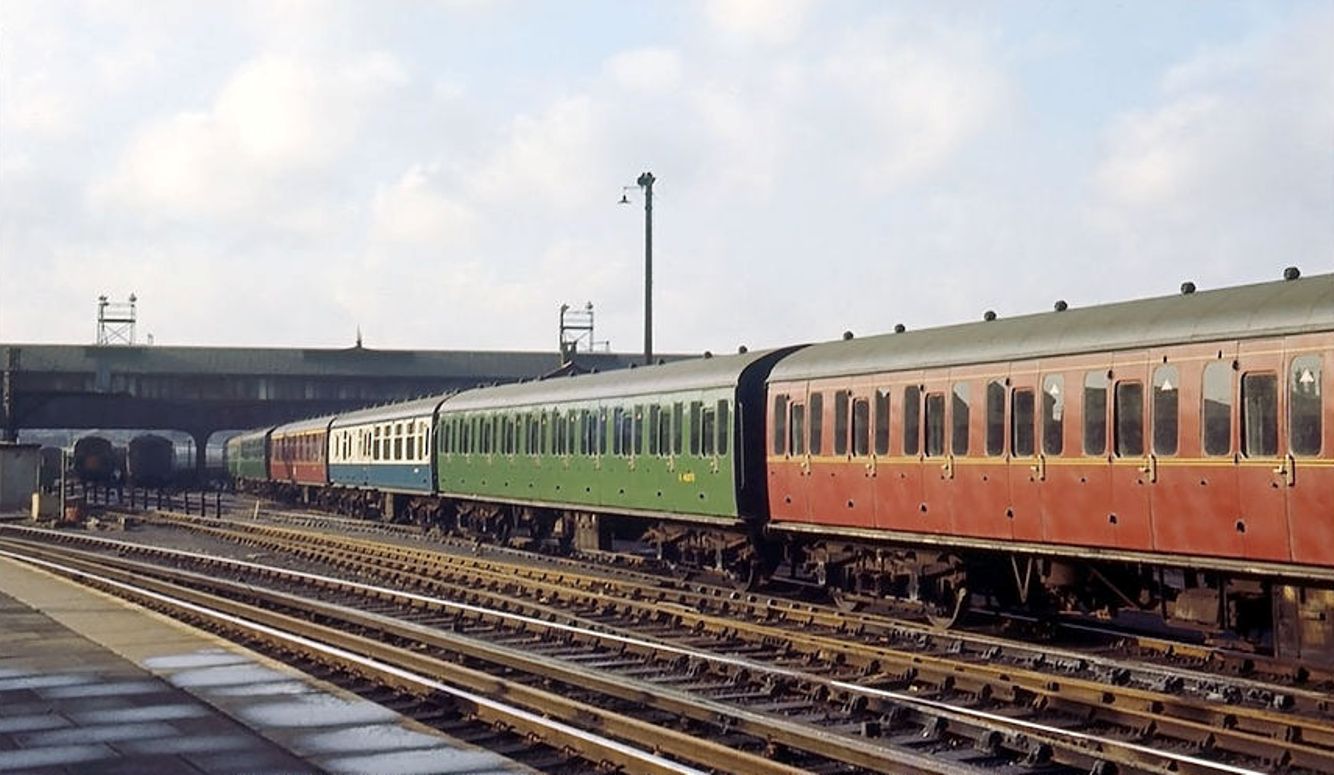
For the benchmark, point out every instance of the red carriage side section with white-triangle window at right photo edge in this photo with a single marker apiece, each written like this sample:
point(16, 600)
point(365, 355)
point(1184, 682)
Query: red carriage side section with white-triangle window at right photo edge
point(1309, 516)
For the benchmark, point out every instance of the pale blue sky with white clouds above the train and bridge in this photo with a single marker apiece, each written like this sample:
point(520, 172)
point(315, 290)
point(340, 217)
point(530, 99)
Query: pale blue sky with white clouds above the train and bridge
point(445, 175)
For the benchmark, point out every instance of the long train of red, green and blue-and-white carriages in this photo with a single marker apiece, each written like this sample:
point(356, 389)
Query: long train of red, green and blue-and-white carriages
point(1161, 461)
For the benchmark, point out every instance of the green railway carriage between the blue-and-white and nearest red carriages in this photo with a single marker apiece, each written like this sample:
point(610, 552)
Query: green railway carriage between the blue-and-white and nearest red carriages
point(669, 450)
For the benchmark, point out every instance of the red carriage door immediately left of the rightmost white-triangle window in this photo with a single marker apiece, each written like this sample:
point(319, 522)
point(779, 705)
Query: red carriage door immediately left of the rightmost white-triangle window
point(1265, 469)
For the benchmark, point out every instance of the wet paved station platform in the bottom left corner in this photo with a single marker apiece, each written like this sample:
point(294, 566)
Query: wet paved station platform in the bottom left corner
point(91, 685)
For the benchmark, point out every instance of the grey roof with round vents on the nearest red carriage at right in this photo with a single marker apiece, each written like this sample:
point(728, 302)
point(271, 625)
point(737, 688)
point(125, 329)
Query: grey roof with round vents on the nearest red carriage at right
point(1277, 309)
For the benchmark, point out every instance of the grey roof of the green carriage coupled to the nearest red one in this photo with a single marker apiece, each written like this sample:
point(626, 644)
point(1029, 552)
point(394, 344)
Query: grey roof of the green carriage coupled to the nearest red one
point(684, 375)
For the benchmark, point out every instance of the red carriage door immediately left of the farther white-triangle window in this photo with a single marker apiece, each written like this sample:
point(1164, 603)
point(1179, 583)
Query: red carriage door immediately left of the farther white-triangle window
point(1135, 464)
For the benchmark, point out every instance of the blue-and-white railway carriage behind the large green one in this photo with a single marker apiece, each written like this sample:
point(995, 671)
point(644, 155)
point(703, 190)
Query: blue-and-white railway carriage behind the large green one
point(385, 453)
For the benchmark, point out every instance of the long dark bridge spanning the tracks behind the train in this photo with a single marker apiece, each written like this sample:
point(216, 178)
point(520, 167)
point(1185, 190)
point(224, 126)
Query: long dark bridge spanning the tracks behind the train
point(206, 390)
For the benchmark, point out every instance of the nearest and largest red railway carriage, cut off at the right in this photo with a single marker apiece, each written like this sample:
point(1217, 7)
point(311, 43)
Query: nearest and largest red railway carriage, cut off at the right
point(1167, 456)
